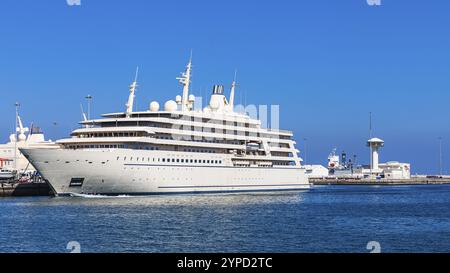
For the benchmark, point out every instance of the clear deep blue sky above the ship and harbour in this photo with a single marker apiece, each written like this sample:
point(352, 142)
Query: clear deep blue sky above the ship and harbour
point(327, 63)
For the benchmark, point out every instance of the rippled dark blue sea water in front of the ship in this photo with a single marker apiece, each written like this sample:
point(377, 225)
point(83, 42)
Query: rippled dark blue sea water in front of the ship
point(323, 219)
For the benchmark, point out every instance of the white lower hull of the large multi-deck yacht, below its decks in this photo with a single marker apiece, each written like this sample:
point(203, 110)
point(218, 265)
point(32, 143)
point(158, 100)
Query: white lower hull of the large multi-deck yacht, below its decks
point(133, 172)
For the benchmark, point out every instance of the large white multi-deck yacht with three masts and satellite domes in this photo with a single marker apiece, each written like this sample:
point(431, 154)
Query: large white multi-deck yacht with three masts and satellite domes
point(179, 149)
